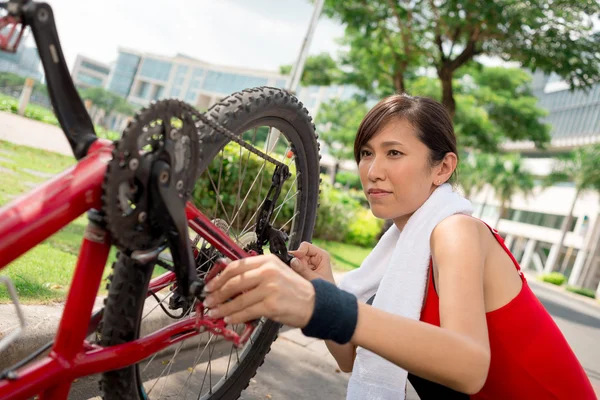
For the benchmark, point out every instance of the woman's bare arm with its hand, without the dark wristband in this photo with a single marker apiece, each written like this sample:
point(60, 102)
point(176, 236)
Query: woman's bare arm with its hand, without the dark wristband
point(456, 354)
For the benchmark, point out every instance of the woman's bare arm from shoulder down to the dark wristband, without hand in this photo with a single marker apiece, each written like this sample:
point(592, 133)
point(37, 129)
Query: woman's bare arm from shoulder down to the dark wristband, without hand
point(456, 355)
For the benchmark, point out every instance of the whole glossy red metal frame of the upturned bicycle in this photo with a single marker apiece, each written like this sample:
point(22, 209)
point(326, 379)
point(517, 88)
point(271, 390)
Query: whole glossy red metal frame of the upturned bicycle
point(30, 219)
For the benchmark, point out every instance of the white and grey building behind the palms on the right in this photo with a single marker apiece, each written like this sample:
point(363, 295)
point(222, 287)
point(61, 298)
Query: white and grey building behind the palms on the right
point(533, 225)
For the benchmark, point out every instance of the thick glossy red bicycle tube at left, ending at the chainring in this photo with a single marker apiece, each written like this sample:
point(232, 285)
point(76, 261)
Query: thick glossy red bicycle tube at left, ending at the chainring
point(33, 217)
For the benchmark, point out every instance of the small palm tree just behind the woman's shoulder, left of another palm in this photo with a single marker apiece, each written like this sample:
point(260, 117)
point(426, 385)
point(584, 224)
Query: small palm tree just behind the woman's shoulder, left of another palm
point(509, 179)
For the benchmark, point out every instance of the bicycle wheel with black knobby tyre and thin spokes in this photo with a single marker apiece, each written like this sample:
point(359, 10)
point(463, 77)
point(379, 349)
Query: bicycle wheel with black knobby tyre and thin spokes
point(230, 190)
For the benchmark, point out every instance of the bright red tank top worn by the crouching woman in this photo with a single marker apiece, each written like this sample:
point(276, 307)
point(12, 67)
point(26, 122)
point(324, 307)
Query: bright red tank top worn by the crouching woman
point(530, 358)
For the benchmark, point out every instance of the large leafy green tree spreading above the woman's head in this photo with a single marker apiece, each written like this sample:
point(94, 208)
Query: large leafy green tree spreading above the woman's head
point(389, 40)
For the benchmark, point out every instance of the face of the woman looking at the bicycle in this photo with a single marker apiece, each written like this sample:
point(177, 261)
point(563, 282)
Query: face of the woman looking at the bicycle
point(395, 172)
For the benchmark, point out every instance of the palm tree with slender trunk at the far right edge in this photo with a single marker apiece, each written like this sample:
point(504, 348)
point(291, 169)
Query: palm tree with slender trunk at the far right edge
point(582, 167)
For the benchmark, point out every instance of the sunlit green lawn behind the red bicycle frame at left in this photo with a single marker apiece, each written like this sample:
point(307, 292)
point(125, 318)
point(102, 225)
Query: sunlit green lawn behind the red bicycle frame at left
point(44, 273)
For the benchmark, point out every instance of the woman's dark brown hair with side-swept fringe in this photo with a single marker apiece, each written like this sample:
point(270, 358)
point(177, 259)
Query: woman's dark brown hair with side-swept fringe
point(429, 118)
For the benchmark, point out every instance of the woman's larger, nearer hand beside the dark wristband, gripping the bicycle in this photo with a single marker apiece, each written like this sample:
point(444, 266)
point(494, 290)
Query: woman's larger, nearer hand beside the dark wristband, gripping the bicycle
point(261, 286)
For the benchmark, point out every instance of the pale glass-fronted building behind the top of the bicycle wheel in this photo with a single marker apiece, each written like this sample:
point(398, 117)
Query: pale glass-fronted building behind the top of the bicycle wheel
point(144, 77)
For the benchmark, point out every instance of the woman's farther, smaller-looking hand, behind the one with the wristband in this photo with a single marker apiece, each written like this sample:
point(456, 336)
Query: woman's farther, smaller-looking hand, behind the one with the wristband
point(312, 262)
